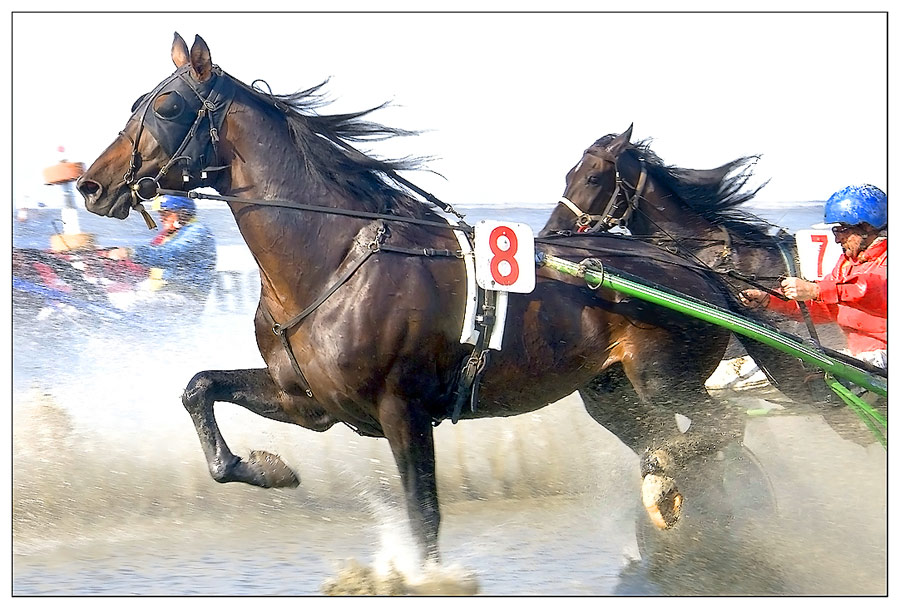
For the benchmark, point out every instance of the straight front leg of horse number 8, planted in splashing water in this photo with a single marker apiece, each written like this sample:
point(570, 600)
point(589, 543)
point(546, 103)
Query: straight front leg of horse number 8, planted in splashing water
point(410, 435)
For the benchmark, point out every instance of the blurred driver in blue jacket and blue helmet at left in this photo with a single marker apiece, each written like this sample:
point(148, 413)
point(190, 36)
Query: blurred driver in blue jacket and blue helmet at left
point(182, 256)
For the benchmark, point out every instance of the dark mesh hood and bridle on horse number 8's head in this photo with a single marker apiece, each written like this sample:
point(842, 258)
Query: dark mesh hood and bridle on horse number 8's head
point(176, 126)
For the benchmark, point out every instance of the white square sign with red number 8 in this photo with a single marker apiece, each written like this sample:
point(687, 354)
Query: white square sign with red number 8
point(504, 256)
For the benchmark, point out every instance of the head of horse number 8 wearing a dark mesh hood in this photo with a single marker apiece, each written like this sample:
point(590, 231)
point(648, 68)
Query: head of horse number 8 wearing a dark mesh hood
point(175, 125)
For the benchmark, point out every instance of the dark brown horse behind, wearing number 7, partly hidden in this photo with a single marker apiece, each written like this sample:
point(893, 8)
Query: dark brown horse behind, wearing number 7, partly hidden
point(695, 213)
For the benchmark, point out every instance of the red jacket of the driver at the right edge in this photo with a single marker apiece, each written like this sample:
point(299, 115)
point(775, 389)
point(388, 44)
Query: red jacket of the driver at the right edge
point(854, 295)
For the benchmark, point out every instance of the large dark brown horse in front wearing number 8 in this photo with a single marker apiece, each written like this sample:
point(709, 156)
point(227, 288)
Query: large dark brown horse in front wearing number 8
point(360, 315)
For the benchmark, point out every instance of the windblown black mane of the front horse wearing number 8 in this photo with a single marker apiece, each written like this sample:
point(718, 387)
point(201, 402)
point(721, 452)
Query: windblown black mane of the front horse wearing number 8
point(324, 143)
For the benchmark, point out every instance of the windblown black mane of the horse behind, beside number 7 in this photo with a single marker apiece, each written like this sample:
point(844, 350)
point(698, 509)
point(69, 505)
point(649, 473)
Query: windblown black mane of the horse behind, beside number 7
point(712, 193)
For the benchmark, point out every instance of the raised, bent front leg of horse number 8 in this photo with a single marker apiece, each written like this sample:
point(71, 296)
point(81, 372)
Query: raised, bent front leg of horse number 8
point(253, 389)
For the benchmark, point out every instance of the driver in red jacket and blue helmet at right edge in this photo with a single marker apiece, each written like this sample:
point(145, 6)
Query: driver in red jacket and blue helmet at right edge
point(854, 294)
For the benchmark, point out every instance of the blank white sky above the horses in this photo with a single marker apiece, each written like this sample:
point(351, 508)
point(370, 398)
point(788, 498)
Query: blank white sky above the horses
point(510, 101)
